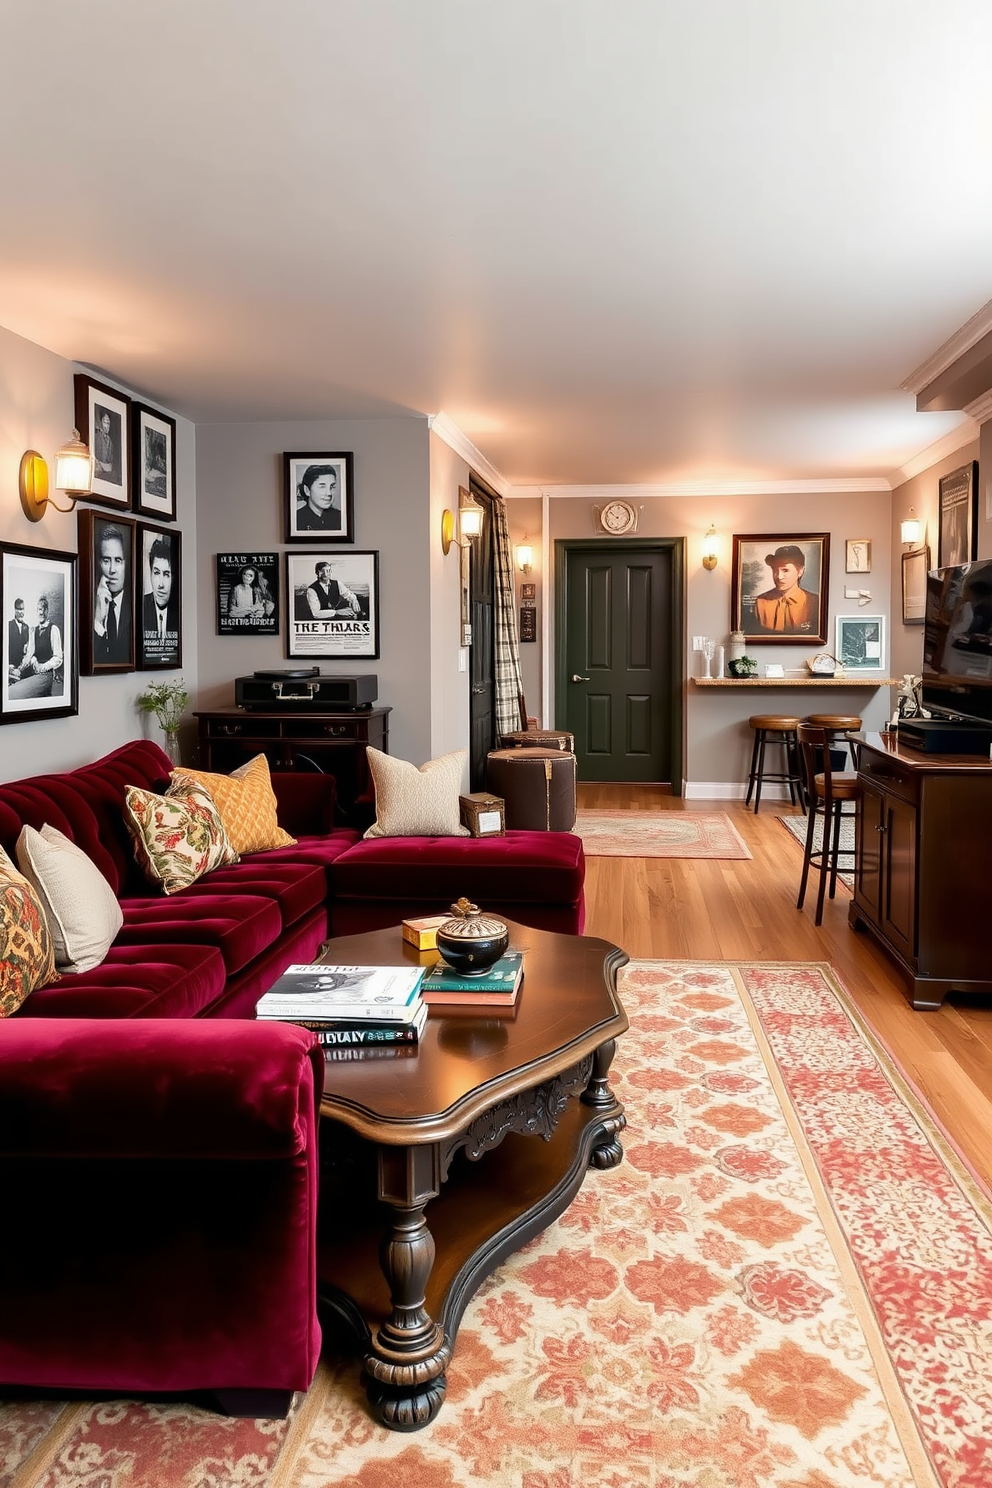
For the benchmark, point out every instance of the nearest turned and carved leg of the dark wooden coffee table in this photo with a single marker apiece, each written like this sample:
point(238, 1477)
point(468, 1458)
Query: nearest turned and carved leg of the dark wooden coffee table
point(407, 1361)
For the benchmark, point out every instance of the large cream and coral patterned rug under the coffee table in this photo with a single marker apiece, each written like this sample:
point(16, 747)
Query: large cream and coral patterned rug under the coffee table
point(788, 1283)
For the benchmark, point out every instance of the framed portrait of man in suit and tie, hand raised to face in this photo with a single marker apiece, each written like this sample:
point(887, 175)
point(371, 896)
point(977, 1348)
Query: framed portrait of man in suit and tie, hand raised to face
point(106, 593)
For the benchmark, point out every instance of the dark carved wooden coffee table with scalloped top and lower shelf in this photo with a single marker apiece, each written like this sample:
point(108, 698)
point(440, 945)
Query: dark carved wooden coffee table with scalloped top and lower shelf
point(431, 1173)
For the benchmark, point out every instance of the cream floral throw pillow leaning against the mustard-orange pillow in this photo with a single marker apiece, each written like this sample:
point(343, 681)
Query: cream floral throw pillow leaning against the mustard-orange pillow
point(178, 837)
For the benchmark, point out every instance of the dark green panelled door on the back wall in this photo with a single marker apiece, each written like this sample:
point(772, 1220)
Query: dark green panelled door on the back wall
point(619, 648)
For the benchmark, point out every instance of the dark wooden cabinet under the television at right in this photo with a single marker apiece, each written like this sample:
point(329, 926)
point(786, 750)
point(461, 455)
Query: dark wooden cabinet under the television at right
point(924, 828)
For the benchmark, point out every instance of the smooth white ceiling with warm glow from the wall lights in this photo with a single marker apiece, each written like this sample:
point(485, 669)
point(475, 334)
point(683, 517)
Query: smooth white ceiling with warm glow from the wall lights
point(613, 240)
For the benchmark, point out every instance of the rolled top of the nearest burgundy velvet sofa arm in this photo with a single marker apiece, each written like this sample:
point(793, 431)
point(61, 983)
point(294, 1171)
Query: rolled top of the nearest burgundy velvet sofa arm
point(157, 1088)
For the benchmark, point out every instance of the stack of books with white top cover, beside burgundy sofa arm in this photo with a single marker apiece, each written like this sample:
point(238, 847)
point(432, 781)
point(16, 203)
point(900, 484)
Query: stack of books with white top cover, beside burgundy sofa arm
point(350, 1007)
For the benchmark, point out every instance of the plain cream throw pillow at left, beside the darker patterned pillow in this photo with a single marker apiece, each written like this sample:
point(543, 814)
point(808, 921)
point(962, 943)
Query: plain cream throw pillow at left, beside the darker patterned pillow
point(83, 908)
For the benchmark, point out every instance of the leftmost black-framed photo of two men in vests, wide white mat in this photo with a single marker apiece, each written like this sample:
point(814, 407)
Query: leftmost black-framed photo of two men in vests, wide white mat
point(38, 597)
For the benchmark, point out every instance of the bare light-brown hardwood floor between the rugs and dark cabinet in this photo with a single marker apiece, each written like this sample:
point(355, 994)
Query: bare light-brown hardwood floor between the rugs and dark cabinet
point(712, 910)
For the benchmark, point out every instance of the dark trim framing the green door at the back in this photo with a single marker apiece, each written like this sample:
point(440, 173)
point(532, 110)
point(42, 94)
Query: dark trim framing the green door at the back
point(676, 548)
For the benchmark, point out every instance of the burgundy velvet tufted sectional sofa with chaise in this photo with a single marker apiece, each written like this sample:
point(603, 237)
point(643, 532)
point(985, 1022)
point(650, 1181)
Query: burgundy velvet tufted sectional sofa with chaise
point(158, 1148)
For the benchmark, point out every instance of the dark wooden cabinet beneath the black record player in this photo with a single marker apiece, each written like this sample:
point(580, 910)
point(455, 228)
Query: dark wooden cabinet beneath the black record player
point(331, 743)
